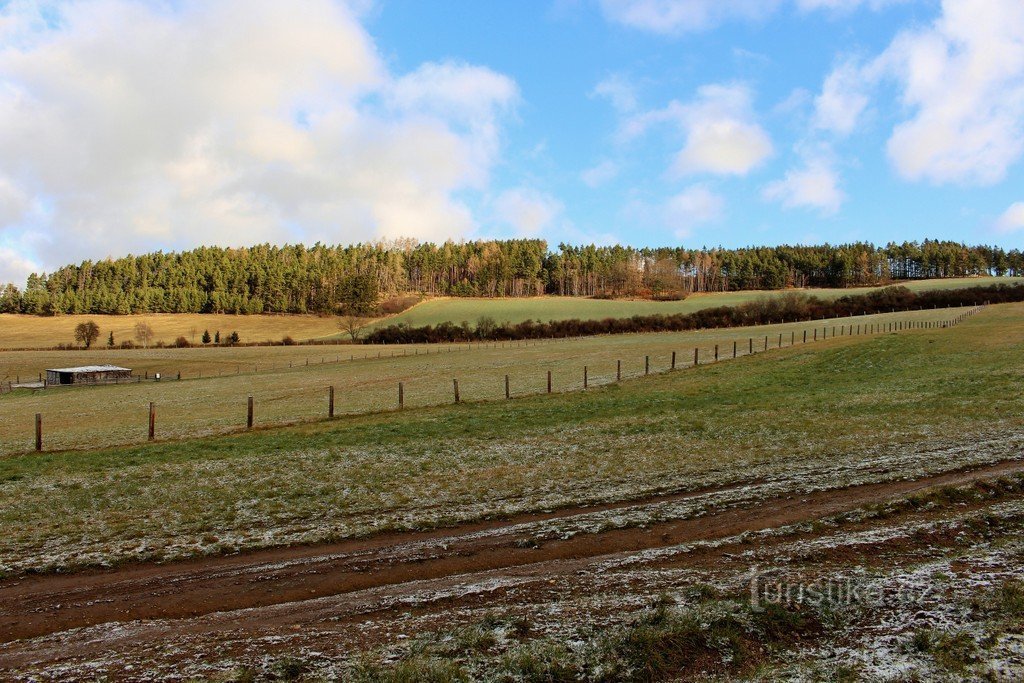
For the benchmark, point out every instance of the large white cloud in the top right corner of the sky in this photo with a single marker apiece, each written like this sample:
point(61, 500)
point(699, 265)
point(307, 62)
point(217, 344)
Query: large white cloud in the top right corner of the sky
point(963, 77)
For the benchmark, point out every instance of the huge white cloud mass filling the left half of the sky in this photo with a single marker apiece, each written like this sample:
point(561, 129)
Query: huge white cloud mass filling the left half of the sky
point(147, 126)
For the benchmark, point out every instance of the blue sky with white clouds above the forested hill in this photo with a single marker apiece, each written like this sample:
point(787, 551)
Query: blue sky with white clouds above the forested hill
point(136, 126)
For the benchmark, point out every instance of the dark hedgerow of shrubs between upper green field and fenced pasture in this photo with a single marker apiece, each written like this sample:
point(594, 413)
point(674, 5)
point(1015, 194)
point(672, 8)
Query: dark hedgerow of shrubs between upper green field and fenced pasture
point(788, 308)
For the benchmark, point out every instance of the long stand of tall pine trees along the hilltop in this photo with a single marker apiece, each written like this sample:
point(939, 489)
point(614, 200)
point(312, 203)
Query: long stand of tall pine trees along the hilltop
point(324, 279)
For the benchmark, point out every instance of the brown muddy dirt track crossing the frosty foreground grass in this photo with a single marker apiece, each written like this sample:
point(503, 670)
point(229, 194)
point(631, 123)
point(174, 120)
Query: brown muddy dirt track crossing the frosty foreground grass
point(35, 607)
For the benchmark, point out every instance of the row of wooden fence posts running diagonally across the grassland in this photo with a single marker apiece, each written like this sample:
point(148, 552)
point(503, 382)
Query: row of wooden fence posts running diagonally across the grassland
point(893, 327)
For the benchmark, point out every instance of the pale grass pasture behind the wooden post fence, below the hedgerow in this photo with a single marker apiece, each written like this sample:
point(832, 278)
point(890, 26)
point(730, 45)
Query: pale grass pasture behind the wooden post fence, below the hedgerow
point(216, 385)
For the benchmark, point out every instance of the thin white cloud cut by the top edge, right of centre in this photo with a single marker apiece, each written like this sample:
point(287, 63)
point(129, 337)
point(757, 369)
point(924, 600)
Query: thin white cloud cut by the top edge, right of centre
point(676, 17)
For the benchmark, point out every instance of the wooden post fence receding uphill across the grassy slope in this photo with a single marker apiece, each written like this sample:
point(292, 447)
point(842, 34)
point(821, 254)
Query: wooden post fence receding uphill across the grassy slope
point(711, 356)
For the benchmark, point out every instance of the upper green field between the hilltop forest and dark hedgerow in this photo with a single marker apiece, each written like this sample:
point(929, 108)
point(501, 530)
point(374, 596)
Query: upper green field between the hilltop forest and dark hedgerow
point(560, 309)
